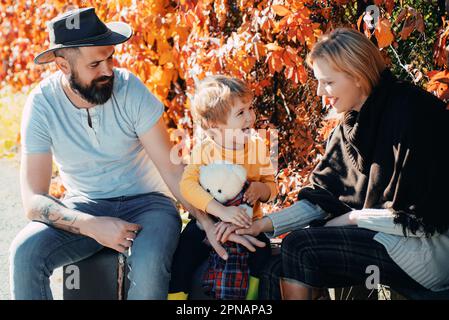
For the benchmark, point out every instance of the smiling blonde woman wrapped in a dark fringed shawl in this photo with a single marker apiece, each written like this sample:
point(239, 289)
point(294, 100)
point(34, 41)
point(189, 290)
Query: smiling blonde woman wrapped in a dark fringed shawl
point(380, 185)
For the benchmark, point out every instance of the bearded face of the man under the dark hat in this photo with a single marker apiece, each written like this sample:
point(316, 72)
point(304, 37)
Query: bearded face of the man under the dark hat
point(92, 74)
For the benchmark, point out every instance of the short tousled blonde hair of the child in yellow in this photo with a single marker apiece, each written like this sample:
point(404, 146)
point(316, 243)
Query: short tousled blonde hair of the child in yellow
point(214, 98)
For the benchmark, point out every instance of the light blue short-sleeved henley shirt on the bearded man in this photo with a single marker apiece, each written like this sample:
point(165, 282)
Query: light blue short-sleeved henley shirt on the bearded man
point(104, 161)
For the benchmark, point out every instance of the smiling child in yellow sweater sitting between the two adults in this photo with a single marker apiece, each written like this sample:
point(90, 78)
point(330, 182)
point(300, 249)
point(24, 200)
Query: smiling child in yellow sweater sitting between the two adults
point(223, 108)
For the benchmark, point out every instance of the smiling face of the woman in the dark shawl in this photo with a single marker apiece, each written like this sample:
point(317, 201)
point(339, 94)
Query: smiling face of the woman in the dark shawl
point(337, 88)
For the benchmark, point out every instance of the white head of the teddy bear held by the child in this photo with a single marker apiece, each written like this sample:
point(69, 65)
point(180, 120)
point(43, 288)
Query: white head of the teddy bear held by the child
point(225, 181)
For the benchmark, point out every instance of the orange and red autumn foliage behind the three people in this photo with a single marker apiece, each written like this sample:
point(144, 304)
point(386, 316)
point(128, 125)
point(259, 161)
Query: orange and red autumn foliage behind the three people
point(263, 42)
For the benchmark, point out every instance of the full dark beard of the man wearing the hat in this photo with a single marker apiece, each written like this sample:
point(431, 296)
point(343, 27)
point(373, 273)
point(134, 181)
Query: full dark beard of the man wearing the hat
point(95, 92)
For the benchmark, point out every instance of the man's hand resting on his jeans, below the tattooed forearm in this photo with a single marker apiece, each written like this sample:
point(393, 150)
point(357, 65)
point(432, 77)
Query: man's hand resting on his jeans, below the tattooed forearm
point(110, 232)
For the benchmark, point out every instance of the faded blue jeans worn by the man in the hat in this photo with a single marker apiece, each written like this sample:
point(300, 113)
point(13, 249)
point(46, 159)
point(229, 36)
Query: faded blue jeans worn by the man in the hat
point(39, 249)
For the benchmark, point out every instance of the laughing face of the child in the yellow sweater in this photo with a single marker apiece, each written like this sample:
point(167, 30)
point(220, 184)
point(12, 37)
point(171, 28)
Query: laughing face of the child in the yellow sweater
point(240, 120)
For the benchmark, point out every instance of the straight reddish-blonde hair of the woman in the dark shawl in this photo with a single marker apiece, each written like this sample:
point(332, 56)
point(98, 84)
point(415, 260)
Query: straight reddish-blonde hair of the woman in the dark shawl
point(351, 52)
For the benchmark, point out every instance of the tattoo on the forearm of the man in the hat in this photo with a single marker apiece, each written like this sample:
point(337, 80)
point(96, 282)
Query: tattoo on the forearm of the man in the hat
point(51, 211)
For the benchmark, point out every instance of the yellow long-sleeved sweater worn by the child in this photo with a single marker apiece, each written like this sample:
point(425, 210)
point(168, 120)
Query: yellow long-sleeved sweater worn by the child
point(254, 158)
